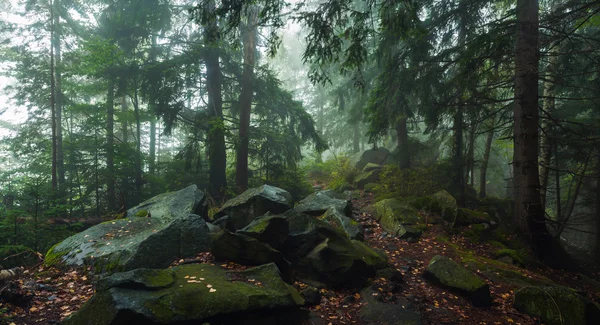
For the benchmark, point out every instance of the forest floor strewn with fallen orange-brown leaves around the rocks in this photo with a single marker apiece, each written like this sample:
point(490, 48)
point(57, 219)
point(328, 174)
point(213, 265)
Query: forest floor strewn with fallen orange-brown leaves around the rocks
point(50, 295)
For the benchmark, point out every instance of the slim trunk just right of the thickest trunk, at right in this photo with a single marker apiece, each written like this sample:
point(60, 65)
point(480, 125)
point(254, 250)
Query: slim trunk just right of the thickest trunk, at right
point(548, 104)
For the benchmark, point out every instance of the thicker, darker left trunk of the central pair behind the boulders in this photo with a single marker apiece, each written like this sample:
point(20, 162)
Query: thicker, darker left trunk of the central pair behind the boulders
point(216, 132)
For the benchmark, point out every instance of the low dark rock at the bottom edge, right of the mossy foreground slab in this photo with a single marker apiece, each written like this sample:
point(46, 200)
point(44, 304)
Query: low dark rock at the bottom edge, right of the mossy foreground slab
point(374, 311)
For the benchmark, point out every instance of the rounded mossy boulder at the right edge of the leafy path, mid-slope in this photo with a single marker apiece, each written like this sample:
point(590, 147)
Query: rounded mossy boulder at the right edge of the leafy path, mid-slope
point(398, 218)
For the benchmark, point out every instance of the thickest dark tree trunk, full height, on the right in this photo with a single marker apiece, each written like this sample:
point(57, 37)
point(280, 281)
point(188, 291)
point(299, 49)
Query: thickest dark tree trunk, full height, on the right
point(529, 213)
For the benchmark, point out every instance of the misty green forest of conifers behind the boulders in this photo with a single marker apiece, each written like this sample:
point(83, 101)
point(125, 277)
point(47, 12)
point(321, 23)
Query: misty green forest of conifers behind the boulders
point(109, 103)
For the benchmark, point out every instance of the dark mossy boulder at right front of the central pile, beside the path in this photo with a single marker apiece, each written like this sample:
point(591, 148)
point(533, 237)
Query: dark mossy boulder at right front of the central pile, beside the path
point(324, 256)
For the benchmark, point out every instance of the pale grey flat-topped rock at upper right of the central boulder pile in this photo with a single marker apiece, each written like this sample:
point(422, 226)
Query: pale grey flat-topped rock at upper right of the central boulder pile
point(318, 203)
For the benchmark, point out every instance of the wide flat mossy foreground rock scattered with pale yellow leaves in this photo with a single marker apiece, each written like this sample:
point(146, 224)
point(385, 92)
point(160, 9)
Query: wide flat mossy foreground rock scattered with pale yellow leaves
point(197, 293)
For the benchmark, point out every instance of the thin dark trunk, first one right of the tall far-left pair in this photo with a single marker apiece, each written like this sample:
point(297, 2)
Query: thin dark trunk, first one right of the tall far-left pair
point(110, 147)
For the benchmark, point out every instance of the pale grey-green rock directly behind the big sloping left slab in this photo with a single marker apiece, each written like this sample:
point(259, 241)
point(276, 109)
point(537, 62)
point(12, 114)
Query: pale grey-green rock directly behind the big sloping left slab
point(172, 205)
